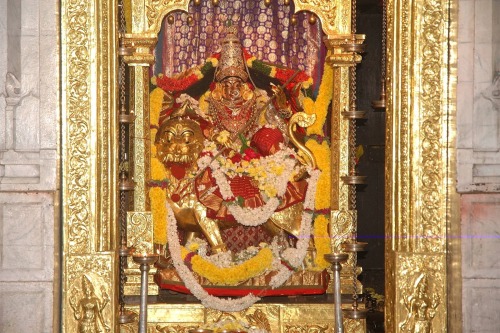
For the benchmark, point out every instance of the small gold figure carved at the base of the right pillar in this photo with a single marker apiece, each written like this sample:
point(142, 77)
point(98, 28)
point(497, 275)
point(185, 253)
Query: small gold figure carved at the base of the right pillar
point(421, 307)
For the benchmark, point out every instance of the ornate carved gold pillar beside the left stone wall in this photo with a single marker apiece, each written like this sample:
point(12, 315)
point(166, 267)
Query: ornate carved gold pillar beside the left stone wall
point(89, 168)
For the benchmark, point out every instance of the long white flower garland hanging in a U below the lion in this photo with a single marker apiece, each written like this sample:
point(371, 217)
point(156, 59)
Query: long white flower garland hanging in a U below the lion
point(294, 257)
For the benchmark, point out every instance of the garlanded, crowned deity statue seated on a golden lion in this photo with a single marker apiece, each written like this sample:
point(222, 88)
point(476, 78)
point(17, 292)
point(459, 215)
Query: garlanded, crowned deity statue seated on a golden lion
point(230, 156)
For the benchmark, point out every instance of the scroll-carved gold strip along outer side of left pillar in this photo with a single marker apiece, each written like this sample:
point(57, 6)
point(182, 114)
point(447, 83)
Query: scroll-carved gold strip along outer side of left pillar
point(77, 158)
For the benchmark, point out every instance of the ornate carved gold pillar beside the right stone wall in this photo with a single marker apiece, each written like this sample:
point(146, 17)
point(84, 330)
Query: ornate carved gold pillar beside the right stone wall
point(419, 158)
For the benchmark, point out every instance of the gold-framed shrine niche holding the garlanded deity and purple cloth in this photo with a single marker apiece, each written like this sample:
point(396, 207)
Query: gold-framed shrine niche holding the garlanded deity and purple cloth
point(235, 174)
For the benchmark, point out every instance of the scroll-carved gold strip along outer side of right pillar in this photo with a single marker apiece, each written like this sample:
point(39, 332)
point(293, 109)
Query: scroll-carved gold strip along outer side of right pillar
point(431, 222)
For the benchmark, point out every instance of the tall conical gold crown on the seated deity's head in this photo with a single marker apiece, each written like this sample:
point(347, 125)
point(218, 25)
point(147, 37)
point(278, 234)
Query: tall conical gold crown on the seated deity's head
point(231, 61)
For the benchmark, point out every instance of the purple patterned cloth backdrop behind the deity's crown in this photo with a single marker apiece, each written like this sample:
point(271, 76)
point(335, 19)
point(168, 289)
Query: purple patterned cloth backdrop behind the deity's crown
point(266, 32)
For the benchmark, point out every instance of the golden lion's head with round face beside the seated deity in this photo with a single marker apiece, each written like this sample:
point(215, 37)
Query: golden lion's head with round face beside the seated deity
point(179, 141)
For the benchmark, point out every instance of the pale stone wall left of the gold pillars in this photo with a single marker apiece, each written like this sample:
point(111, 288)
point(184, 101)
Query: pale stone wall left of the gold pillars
point(29, 130)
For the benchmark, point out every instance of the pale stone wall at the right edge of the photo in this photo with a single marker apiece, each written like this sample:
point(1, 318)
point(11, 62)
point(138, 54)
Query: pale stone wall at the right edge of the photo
point(478, 143)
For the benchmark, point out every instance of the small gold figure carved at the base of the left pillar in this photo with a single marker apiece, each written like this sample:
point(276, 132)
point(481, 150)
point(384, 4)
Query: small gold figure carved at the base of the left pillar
point(89, 309)
